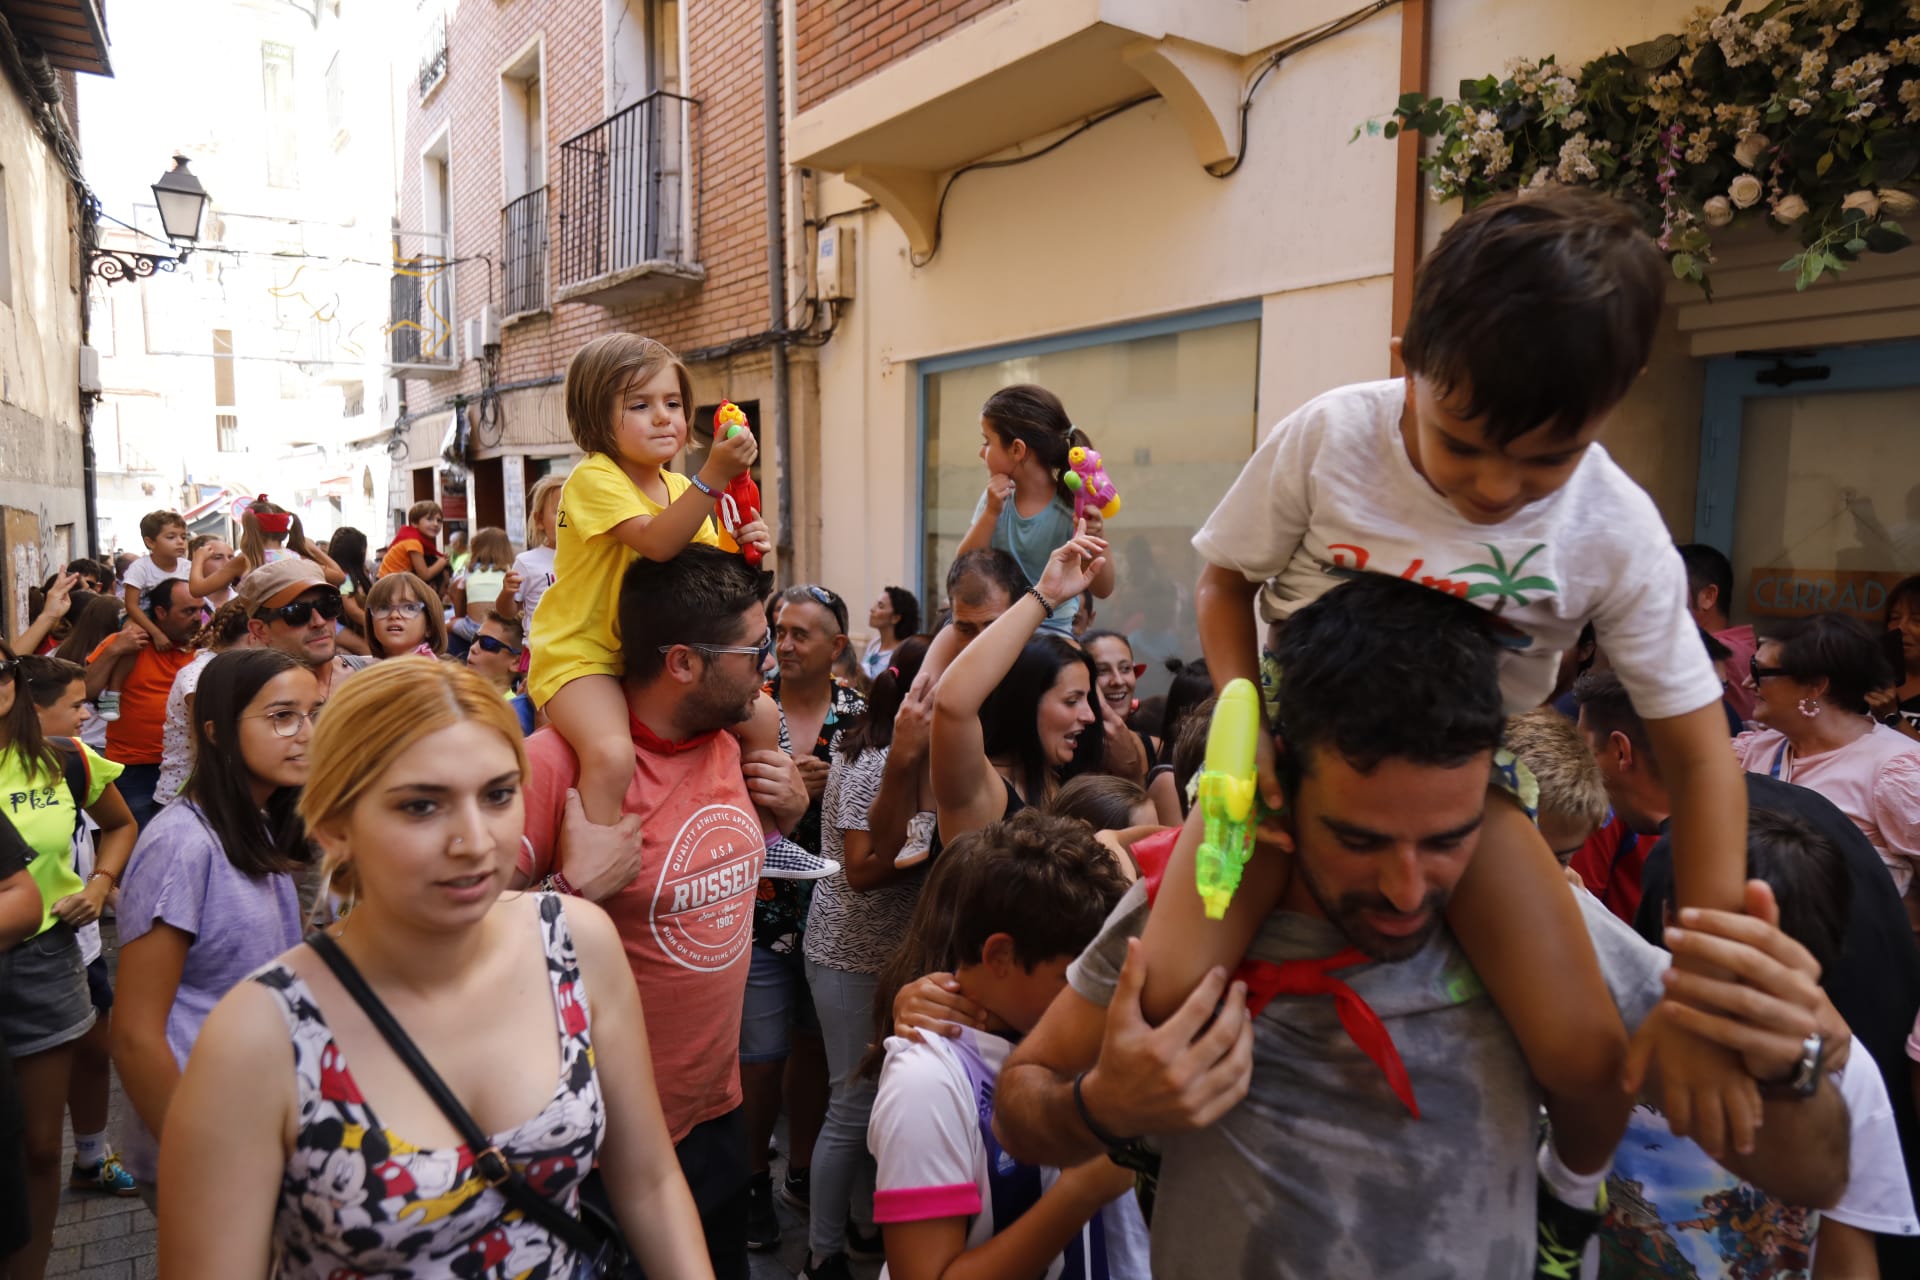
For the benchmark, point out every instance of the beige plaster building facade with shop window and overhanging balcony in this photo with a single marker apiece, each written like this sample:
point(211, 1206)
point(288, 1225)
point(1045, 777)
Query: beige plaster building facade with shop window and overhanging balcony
point(1182, 314)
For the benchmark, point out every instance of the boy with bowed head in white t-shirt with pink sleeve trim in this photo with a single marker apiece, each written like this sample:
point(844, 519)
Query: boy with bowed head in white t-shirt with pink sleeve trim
point(1005, 911)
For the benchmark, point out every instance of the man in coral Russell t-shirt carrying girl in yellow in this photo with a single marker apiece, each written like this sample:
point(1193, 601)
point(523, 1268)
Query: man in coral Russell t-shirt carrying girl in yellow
point(696, 636)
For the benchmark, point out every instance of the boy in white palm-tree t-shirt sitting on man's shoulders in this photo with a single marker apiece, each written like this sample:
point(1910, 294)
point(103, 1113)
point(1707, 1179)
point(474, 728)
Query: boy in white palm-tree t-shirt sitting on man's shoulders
point(1481, 475)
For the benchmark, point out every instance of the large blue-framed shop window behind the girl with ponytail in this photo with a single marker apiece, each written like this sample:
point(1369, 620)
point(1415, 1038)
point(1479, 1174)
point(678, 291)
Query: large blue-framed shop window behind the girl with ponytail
point(1172, 415)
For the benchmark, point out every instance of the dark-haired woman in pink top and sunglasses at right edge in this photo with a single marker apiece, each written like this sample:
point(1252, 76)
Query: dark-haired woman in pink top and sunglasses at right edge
point(1812, 686)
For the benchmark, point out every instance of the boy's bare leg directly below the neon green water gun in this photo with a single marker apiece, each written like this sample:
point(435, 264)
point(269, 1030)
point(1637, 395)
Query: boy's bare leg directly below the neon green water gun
point(1182, 943)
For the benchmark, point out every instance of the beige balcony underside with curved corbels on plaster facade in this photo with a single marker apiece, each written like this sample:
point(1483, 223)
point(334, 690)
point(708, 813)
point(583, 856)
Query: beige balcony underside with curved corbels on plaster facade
point(1034, 66)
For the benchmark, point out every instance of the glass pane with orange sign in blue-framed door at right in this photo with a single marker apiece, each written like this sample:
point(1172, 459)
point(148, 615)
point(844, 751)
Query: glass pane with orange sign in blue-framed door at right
point(1829, 504)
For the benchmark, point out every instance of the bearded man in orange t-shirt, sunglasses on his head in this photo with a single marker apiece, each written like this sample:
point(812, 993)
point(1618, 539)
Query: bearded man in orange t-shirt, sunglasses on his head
point(135, 740)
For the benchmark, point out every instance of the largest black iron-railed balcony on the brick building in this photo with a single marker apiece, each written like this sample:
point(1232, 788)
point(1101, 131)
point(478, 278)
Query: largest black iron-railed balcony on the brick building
point(627, 206)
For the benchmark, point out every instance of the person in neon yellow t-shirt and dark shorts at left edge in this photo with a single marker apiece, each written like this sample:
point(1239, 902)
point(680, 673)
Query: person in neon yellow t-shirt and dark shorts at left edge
point(45, 1003)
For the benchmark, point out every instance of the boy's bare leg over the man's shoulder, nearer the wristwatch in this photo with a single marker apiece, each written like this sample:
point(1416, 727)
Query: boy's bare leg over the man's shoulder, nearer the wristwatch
point(1524, 932)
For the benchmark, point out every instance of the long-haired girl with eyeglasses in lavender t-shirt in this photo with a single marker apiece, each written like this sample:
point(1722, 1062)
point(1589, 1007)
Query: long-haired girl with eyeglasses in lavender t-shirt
point(210, 893)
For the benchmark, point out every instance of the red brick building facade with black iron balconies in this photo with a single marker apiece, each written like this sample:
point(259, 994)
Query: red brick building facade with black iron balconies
point(575, 168)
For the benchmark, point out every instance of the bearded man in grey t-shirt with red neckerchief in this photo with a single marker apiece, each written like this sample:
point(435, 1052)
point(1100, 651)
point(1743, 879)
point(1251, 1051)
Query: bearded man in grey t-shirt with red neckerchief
point(1356, 1106)
